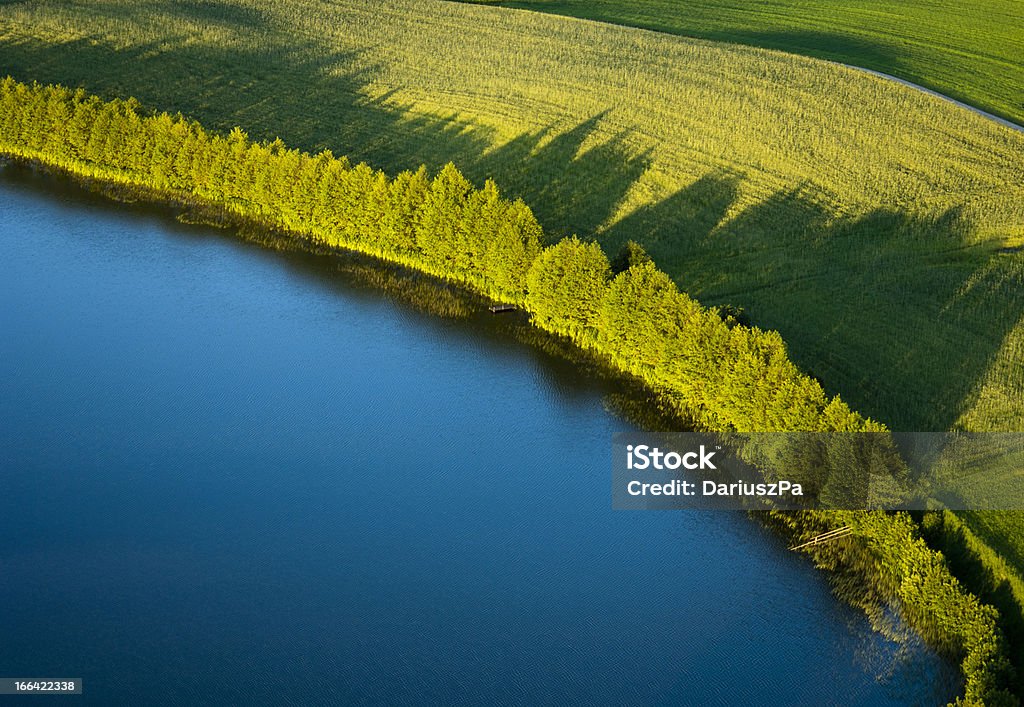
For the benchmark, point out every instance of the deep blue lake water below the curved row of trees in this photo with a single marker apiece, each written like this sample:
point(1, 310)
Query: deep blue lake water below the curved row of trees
point(233, 476)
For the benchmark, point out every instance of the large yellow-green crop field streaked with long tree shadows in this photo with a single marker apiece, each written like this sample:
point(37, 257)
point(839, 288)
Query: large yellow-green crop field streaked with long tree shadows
point(880, 230)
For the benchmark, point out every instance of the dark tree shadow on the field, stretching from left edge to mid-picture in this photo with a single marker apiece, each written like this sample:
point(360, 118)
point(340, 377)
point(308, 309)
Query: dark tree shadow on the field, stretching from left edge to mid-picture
point(315, 99)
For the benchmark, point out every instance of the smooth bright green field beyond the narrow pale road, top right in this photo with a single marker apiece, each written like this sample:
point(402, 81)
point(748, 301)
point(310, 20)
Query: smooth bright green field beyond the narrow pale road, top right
point(968, 51)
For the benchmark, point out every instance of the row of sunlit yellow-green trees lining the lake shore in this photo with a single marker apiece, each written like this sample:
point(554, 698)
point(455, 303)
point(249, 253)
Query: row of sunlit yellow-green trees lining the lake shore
point(724, 376)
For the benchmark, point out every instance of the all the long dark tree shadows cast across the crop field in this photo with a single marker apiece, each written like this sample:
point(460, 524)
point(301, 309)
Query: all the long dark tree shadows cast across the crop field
point(878, 308)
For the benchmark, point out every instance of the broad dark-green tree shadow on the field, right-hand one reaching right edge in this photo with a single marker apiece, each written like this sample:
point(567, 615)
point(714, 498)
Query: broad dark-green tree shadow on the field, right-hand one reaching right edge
point(899, 314)
